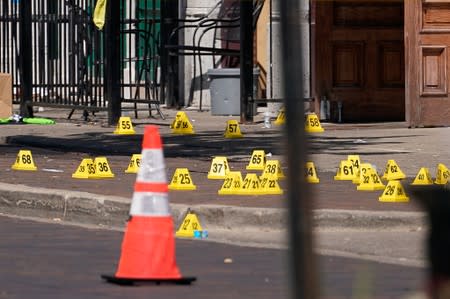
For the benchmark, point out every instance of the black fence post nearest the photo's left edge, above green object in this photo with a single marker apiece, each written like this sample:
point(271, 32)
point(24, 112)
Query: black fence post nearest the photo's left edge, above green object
point(25, 59)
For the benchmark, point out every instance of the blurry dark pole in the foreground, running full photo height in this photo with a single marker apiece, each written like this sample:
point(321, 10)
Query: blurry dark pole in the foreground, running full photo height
point(303, 265)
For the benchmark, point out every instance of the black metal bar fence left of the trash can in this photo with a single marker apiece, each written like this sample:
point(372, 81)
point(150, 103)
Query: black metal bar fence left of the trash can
point(57, 56)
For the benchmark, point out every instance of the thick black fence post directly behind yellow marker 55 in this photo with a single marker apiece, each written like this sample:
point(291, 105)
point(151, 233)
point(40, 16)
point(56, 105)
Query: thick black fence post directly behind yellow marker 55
point(112, 62)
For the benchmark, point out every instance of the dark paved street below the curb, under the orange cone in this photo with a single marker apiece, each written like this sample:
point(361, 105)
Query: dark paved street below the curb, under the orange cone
point(54, 260)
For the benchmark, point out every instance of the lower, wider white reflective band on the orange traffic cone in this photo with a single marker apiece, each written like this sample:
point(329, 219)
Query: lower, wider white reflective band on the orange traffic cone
point(150, 204)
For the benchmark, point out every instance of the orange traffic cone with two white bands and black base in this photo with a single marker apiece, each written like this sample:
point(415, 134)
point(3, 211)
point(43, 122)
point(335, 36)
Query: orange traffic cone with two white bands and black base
point(148, 246)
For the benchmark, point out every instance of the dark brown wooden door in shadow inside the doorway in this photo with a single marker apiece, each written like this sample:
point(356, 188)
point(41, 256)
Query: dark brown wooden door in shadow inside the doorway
point(359, 58)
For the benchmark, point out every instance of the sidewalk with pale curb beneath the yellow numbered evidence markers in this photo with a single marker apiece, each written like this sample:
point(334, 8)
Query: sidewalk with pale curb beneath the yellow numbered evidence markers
point(337, 204)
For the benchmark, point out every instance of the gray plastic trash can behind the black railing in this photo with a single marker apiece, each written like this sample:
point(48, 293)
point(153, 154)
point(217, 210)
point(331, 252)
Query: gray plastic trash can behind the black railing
point(225, 90)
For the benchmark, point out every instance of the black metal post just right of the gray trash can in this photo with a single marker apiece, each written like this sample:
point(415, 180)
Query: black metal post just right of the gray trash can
point(246, 60)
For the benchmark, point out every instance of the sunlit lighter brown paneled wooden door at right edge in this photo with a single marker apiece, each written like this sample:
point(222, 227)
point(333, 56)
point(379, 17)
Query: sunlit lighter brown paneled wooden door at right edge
point(427, 28)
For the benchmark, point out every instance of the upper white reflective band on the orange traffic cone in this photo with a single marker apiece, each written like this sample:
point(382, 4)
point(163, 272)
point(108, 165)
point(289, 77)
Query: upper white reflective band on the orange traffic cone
point(152, 167)
